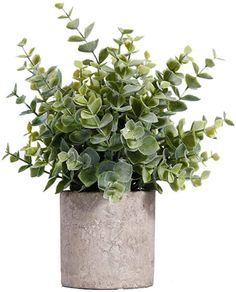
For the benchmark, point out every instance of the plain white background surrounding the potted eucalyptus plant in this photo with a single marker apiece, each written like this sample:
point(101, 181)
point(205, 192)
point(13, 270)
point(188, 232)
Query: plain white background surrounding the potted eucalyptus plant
point(195, 229)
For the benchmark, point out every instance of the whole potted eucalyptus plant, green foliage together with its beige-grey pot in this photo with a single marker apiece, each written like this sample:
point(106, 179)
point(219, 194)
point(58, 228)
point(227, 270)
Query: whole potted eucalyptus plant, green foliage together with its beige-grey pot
point(110, 139)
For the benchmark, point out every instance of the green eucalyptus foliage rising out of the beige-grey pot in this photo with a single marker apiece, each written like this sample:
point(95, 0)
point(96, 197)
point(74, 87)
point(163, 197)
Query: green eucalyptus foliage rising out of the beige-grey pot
point(110, 129)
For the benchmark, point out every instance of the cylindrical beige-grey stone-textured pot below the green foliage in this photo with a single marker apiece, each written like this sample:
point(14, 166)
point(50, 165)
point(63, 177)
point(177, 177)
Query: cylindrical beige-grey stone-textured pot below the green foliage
point(105, 245)
